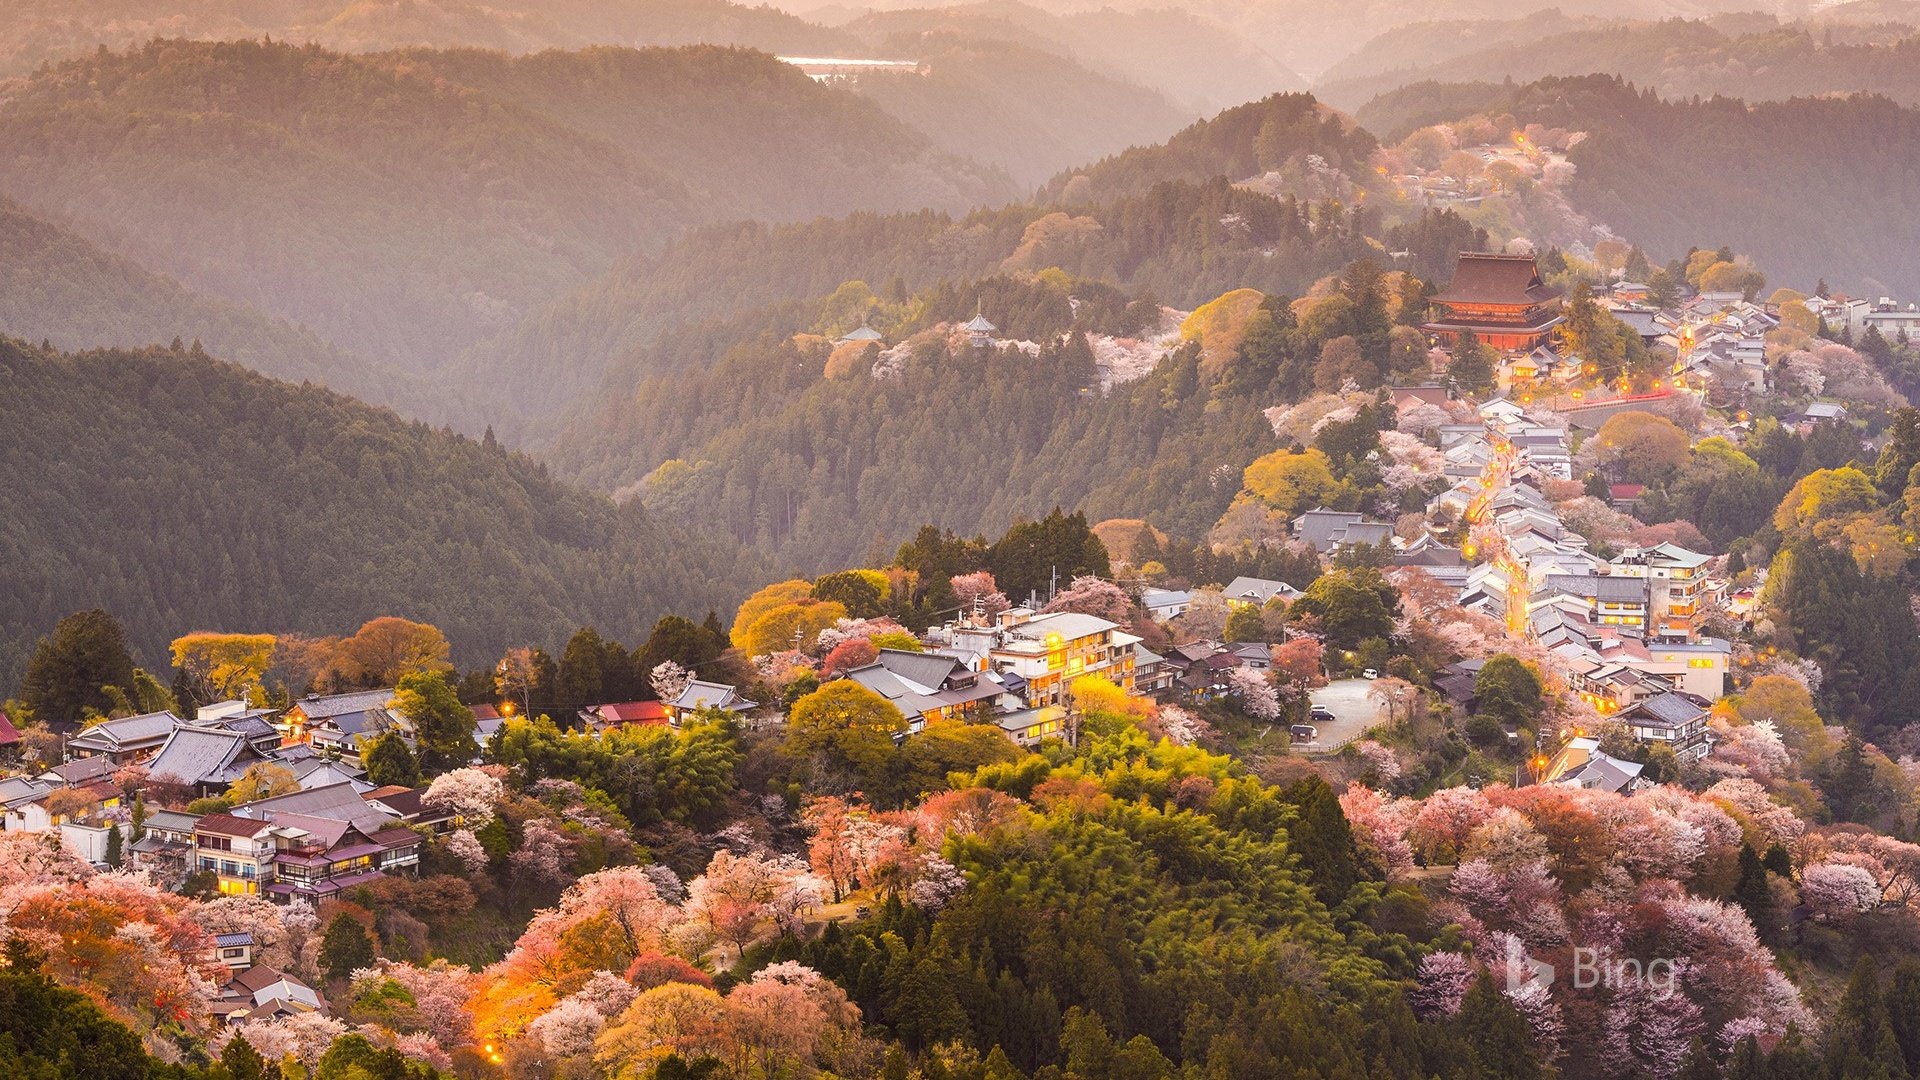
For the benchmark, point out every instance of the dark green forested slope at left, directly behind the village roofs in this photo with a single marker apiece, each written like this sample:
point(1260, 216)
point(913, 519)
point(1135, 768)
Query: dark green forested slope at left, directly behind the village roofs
point(178, 491)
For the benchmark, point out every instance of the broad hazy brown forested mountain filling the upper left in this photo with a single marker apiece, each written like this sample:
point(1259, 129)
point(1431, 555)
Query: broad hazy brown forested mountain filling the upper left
point(404, 214)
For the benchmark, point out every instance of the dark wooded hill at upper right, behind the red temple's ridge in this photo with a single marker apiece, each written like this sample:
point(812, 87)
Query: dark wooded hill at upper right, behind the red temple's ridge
point(1669, 172)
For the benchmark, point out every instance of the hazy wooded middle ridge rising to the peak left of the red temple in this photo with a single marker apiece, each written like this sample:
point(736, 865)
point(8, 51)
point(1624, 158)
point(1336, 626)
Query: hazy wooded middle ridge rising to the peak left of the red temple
point(1159, 218)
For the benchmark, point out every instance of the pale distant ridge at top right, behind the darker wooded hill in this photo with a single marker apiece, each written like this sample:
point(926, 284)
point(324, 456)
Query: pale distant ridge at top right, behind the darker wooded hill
point(1746, 57)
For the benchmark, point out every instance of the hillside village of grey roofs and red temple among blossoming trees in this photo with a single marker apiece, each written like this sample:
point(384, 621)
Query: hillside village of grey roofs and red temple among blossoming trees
point(1518, 629)
